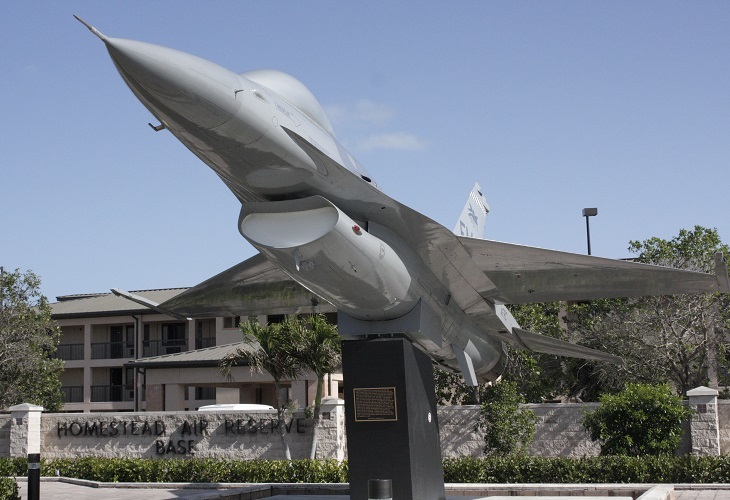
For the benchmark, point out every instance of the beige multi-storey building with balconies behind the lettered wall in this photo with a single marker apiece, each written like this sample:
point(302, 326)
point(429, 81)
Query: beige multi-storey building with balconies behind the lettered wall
point(123, 356)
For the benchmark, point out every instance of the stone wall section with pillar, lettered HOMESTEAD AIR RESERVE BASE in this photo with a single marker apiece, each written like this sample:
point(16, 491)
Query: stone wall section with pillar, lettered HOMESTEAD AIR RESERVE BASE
point(246, 435)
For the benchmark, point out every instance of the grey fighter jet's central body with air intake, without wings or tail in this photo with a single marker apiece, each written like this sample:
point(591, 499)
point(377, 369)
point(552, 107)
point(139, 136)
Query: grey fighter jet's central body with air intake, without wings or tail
point(268, 139)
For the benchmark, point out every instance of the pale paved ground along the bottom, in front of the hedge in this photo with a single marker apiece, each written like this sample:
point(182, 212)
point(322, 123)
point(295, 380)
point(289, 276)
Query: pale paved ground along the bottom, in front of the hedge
point(59, 490)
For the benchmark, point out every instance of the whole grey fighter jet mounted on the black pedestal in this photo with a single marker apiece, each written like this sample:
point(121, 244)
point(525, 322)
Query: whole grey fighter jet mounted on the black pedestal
point(319, 219)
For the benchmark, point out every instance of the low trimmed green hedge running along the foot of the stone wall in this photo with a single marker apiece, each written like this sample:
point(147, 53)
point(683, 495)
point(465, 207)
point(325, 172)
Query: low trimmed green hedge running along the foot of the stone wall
point(611, 469)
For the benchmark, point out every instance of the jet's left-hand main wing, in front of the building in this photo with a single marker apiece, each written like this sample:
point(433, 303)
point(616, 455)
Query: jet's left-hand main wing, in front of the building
point(250, 287)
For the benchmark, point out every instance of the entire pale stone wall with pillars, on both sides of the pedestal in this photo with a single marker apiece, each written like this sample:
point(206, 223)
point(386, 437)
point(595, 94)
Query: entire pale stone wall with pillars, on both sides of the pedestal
point(253, 435)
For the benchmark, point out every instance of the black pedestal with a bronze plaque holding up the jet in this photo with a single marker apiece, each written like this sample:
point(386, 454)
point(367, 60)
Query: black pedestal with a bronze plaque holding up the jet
point(390, 411)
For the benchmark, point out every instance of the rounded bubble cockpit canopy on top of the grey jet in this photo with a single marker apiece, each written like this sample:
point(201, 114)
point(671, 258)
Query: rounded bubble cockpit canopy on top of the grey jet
point(293, 91)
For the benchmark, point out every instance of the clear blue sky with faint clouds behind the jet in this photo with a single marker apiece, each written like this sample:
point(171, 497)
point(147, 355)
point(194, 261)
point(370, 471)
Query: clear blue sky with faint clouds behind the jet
point(551, 106)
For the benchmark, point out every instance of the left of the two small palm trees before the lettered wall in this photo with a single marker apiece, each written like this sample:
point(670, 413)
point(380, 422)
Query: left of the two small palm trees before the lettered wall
point(273, 348)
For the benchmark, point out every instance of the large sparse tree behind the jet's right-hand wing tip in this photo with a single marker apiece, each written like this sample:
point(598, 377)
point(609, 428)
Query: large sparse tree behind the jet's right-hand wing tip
point(676, 339)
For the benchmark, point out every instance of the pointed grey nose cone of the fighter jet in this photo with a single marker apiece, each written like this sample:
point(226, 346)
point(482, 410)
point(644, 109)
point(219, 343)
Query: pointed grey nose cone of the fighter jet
point(174, 85)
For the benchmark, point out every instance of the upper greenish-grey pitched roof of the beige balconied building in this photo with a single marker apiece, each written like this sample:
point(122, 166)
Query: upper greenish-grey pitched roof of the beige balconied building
point(108, 304)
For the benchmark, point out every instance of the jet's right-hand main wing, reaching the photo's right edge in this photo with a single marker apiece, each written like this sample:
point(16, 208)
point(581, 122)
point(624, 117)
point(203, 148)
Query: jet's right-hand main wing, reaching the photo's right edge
point(527, 274)
